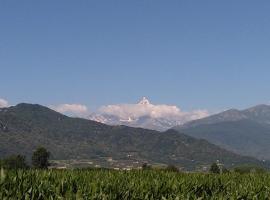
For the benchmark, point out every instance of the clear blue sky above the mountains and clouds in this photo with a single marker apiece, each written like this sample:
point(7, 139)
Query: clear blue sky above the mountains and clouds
point(194, 54)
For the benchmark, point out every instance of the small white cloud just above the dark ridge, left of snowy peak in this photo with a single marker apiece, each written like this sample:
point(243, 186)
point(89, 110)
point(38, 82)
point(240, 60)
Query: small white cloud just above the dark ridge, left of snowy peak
point(76, 109)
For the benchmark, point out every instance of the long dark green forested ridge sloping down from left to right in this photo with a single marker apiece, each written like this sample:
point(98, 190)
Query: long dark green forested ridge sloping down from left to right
point(25, 127)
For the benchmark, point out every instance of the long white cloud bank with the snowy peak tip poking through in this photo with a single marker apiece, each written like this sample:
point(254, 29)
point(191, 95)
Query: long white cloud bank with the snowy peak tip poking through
point(145, 108)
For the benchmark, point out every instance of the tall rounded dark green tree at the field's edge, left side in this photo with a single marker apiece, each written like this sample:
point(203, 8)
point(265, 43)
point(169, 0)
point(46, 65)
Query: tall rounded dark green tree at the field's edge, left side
point(40, 158)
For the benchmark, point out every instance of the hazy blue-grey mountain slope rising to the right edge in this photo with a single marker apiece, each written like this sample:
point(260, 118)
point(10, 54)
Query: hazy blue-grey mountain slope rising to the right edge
point(246, 132)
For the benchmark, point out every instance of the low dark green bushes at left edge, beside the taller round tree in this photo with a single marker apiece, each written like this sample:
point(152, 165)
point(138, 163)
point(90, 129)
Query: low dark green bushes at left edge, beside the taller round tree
point(14, 162)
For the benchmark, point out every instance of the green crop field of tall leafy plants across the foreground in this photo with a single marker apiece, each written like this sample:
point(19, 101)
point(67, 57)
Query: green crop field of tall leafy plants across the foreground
point(140, 184)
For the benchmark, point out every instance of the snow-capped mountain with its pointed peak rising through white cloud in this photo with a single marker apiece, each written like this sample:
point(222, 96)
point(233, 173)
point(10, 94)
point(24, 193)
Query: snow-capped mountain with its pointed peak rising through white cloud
point(145, 115)
